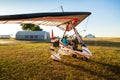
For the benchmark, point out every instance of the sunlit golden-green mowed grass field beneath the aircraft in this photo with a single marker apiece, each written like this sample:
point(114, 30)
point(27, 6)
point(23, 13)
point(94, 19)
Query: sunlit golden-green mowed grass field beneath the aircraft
point(31, 61)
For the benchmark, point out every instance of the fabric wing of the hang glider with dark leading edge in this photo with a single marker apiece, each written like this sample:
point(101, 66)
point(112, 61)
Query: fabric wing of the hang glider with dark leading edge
point(63, 20)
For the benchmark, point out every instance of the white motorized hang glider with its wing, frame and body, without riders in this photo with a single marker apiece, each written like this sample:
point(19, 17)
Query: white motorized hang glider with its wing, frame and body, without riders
point(63, 20)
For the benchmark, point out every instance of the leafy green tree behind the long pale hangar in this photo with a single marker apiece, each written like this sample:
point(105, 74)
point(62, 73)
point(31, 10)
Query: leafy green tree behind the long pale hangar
point(31, 27)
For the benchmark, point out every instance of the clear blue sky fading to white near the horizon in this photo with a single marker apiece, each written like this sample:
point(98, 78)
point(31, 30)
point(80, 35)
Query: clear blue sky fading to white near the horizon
point(103, 22)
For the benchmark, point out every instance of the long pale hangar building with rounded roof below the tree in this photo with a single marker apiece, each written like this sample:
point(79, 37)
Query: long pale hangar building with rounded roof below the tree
point(33, 35)
